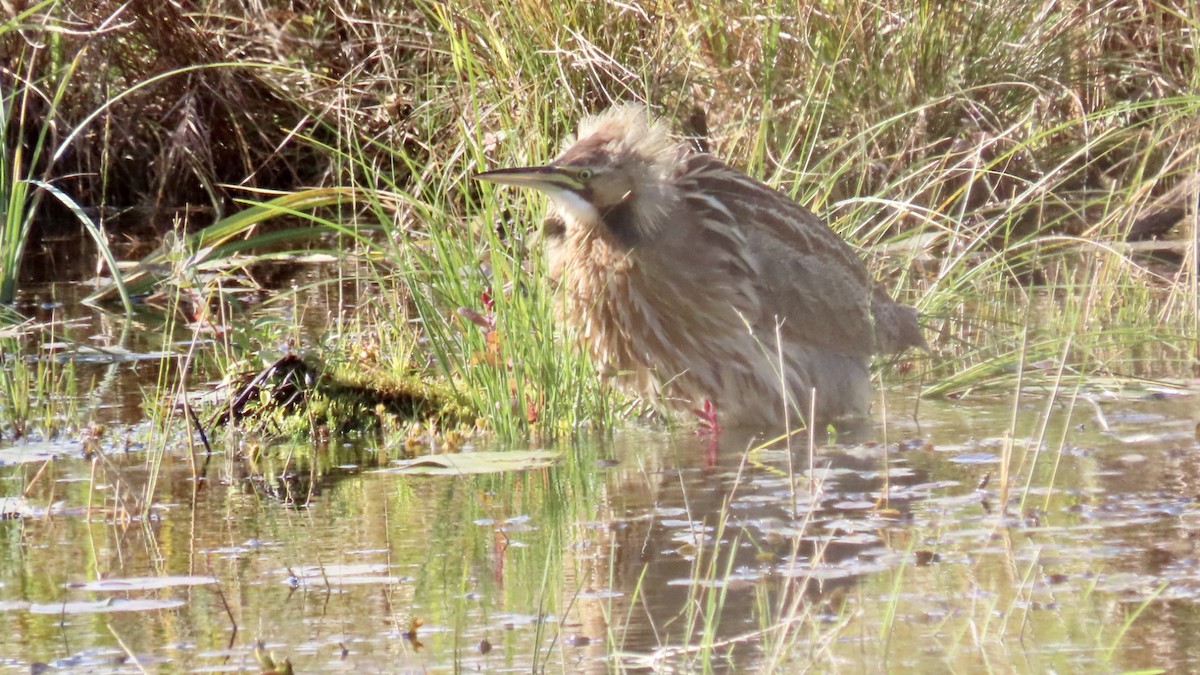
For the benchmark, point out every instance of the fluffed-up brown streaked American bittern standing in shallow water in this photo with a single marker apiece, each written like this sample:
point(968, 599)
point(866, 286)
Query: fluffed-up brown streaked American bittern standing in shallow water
point(693, 283)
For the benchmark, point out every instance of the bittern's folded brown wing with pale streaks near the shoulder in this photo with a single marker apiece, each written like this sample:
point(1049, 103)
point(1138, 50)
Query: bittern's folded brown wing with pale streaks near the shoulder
point(806, 276)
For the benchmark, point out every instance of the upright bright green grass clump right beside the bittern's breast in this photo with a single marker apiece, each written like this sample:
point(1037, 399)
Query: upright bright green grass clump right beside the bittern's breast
point(515, 366)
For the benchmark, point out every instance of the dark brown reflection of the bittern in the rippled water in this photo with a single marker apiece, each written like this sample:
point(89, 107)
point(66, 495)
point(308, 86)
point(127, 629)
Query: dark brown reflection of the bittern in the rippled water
point(754, 530)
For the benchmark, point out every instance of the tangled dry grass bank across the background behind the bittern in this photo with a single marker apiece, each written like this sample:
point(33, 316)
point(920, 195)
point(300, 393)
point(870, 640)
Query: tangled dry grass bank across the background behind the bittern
point(955, 110)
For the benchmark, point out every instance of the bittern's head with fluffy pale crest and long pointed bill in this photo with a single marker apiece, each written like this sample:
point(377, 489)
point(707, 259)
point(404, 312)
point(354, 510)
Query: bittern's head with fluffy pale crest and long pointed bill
point(615, 177)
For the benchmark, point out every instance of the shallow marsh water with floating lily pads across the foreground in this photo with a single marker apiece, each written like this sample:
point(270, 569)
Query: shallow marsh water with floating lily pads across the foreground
point(631, 553)
